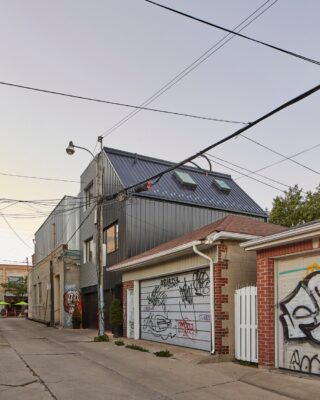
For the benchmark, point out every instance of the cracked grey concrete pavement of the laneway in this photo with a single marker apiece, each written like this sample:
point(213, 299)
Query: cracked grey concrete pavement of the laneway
point(45, 363)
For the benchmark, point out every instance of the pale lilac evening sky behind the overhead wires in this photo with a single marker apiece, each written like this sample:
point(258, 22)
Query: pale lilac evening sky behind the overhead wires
point(124, 51)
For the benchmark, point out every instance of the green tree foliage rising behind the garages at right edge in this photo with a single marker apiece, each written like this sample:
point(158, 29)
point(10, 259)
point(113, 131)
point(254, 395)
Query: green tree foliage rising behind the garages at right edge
point(295, 207)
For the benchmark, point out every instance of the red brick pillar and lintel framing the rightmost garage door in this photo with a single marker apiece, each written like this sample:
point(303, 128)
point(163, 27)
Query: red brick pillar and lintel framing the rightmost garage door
point(266, 298)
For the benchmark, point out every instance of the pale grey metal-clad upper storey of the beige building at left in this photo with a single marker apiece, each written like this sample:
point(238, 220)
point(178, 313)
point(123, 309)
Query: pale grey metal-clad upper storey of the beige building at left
point(65, 217)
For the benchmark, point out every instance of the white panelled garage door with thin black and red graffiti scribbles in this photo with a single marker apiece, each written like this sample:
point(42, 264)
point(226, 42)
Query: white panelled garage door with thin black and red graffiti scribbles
point(175, 309)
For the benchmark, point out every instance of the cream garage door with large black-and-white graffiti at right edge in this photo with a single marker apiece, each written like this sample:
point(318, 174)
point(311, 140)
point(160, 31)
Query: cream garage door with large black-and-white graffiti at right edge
point(299, 314)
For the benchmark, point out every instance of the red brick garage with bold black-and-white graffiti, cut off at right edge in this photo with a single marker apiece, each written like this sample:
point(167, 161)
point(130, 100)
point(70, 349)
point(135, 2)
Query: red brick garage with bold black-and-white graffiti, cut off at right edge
point(288, 283)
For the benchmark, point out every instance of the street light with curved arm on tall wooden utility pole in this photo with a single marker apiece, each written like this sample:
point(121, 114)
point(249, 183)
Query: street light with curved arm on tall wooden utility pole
point(99, 245)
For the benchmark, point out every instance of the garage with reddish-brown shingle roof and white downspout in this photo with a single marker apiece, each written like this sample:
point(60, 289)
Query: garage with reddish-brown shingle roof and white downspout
point(182, 292)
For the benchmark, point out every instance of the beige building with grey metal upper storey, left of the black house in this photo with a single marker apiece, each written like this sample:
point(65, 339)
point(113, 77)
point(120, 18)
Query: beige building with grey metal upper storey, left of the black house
point(54, 278)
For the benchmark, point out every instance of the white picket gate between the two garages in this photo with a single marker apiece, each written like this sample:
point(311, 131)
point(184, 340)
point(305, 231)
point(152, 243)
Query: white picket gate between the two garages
point(246, 329)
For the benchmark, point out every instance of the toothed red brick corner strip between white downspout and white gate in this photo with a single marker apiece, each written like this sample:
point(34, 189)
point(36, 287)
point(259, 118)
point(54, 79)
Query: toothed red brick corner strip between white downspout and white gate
point(220, 281)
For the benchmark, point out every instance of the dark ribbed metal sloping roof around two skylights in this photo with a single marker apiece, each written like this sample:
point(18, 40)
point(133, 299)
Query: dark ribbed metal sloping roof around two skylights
point(133, 168)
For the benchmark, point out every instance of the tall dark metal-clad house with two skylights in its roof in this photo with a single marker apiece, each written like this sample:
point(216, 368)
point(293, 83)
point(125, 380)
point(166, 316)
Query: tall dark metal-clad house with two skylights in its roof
point(181, 201)
